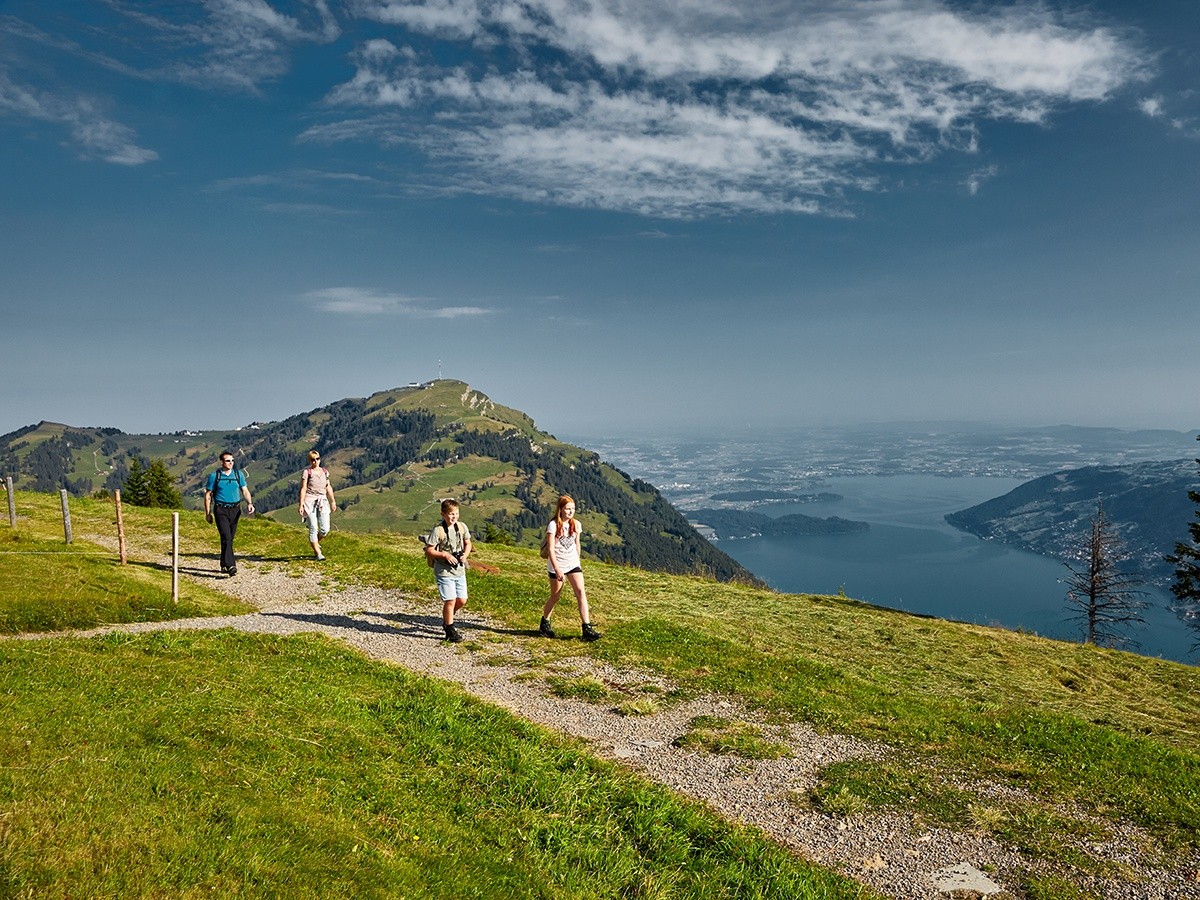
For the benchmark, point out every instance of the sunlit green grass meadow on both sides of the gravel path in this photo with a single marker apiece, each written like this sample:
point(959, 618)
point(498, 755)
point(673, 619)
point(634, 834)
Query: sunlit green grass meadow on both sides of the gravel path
point(190, 764)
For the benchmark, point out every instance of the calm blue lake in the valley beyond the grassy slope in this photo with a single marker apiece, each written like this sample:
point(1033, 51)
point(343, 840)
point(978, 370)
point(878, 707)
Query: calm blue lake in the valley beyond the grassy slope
point(911, 560)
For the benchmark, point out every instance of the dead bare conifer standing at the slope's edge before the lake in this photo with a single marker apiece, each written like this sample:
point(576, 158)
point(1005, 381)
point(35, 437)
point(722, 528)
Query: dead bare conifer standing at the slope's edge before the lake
point(1108, 601)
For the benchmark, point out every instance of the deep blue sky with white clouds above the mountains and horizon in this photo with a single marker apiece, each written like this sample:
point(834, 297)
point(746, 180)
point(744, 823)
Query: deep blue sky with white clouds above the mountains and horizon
point(616, 215)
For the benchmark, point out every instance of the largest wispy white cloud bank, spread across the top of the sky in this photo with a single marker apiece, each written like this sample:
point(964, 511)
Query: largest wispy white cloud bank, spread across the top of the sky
point(695, 107)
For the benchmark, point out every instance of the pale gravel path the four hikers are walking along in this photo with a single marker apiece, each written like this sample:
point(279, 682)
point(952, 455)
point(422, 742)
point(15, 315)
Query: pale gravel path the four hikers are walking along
point(895, 855)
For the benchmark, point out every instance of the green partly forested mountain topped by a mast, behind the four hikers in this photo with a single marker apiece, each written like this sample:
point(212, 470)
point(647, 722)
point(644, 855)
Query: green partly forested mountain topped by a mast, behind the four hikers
point(393, 458)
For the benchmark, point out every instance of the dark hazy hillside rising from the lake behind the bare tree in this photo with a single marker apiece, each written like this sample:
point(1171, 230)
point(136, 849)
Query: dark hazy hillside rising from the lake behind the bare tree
point(1148, 503)
